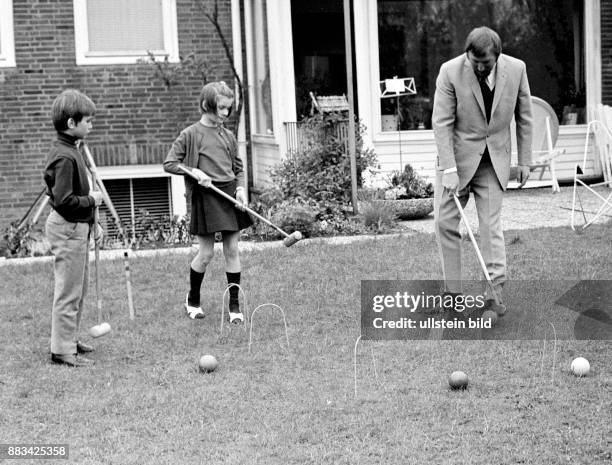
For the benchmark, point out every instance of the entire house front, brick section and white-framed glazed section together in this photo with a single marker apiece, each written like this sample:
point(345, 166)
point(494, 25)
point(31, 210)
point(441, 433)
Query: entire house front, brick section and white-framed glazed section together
point(144, 67)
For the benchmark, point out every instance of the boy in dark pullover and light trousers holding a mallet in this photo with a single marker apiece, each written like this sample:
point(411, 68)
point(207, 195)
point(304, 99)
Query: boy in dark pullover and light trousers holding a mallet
point(70, 224)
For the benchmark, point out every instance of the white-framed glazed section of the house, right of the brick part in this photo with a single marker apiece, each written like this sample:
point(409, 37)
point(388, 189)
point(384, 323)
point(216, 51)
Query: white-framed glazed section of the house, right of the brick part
point(565, 44)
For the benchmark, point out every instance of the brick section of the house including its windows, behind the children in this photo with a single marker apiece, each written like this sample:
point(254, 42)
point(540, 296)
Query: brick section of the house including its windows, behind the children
point(101, 47)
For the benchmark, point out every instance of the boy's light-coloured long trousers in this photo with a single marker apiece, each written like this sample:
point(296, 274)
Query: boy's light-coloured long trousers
point(70, 247)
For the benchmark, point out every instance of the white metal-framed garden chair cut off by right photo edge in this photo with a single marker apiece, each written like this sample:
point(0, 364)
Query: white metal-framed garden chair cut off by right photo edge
point(602, 155)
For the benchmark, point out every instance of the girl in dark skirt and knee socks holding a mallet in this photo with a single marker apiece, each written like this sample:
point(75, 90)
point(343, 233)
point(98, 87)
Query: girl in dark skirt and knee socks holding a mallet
point(210, 152)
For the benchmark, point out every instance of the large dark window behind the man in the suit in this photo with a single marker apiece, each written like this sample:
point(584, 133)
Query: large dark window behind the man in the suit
point(417, 36)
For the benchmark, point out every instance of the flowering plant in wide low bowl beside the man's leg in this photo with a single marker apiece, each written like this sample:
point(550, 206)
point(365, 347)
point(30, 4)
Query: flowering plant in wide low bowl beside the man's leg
point(409, 194)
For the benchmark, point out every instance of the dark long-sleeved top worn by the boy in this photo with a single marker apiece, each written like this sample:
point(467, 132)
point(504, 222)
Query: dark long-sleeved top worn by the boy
point(66, 179)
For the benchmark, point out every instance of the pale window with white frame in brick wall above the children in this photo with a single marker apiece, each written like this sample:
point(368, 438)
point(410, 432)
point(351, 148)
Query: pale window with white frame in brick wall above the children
point(122, 31)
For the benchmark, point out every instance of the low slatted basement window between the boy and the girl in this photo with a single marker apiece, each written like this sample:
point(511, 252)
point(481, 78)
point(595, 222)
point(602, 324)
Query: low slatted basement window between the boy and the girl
point(130, 197)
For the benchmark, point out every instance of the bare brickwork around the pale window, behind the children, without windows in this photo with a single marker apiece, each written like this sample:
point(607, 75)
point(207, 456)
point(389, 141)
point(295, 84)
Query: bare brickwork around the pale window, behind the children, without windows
point(132, 104)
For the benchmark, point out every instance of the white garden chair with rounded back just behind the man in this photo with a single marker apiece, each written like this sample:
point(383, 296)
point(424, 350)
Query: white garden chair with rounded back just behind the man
point(545, 134)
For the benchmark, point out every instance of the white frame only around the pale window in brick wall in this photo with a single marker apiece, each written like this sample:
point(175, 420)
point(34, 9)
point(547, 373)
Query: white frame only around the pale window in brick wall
point(85, 57)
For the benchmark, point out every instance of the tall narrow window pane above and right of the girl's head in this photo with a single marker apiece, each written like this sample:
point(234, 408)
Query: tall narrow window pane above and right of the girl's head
point(262, 96)
